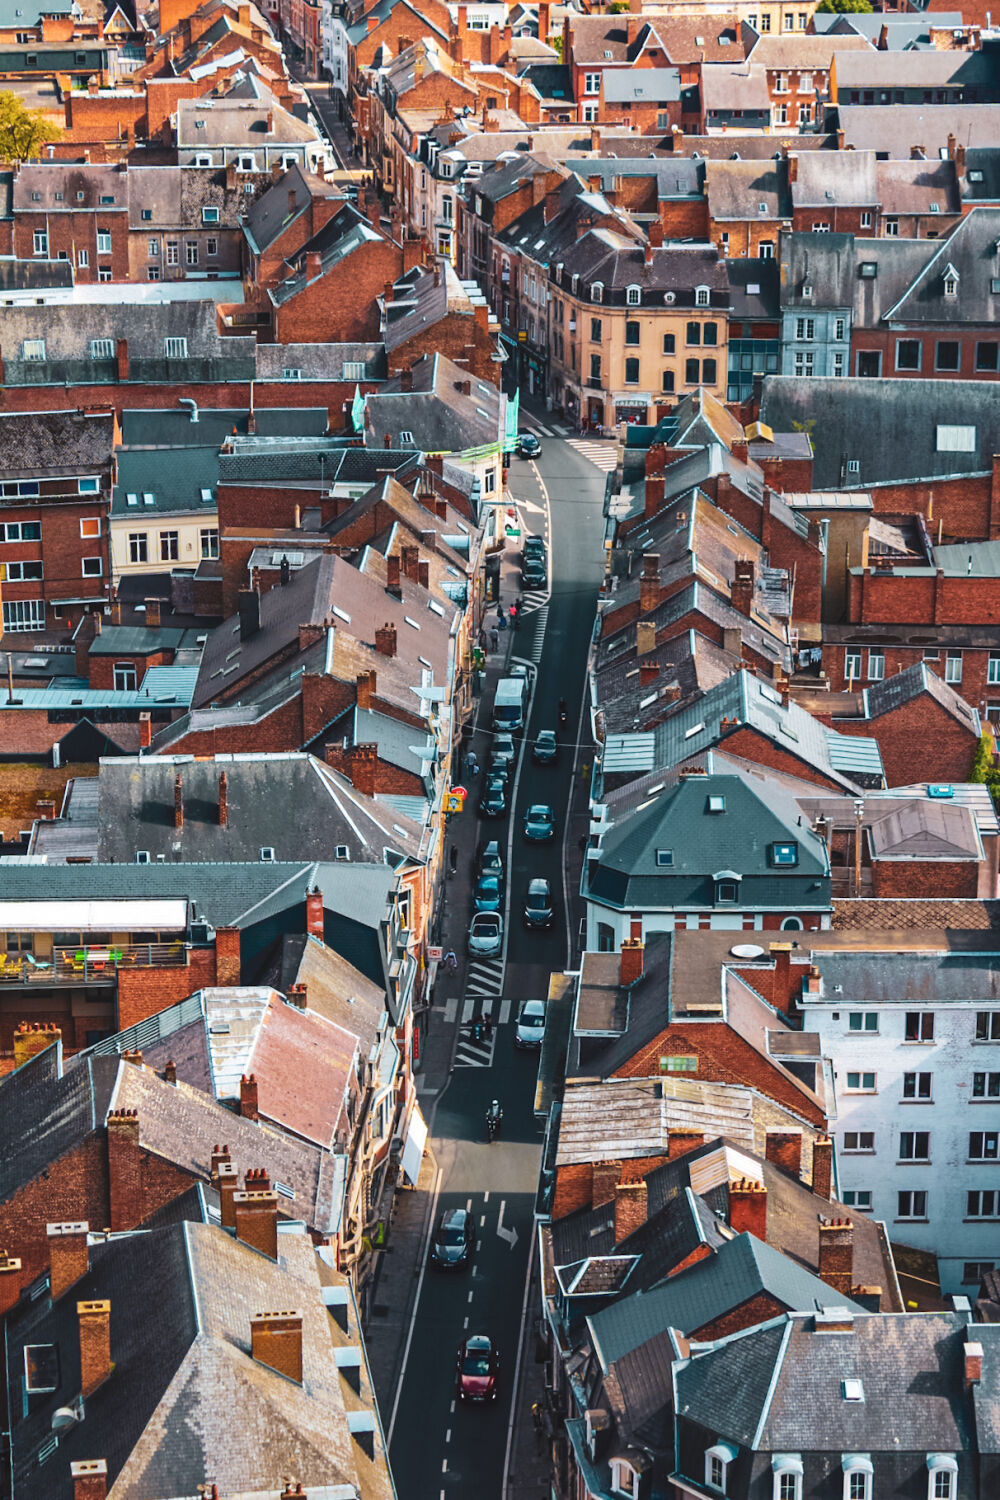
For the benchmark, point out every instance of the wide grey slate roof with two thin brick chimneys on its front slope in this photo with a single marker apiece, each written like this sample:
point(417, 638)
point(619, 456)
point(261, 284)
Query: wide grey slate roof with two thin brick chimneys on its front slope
point(293, 805)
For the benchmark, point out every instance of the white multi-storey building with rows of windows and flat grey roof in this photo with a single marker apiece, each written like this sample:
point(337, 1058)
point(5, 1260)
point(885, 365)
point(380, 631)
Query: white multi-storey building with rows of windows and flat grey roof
point(915, 1046)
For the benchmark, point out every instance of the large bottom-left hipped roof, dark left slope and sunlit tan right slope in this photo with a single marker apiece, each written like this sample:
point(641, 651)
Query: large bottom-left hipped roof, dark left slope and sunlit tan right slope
point(160, 1418)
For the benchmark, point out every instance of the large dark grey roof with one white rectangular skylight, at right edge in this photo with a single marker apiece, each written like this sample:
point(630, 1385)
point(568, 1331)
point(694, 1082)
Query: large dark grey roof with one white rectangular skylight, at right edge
point(893, 439)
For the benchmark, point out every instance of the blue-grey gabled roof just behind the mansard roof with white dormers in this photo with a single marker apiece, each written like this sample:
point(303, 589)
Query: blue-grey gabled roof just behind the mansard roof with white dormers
point(741, 1268)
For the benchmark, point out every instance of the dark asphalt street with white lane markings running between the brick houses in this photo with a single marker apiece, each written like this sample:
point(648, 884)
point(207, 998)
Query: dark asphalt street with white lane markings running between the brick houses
point(442, 1448)
